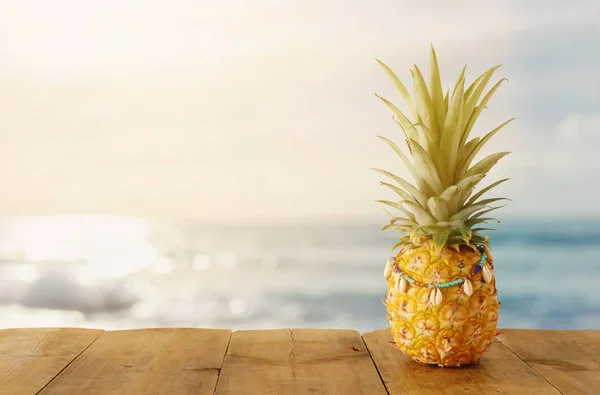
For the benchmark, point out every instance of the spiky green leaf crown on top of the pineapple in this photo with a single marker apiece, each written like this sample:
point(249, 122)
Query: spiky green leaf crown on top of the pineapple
point(441, 209)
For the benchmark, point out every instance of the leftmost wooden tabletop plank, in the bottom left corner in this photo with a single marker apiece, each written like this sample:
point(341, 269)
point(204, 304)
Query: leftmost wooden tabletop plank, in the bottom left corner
point(31, 358)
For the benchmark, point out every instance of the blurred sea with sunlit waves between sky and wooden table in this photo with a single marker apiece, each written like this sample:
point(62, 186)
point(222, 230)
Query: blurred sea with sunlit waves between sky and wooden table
point(125, 273)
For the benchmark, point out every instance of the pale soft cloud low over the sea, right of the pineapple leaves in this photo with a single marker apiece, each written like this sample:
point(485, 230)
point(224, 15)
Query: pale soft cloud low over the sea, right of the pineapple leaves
point(558, 175)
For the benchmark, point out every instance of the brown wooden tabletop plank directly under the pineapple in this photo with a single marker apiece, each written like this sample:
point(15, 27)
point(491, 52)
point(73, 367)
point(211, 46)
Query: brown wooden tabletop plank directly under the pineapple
point(500, 371)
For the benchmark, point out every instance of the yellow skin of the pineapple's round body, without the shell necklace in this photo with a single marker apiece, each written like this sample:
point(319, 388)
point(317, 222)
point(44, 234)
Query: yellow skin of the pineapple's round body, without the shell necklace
point(461, 328)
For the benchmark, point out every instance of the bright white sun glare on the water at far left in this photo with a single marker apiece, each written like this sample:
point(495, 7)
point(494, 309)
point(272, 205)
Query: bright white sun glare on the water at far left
point(103, 247)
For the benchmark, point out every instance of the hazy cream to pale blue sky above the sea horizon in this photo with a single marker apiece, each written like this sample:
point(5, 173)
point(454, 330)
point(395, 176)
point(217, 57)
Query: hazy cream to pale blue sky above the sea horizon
point(265, 109)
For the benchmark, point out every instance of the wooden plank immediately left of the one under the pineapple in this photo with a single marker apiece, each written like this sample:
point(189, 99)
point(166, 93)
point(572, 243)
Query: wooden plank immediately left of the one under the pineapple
point(298, 361)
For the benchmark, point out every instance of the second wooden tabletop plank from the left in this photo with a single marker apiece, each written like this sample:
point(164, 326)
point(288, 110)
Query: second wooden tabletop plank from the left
point(147, 361)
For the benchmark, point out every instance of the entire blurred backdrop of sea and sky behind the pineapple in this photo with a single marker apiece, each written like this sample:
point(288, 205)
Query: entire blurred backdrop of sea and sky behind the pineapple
point(206, 164)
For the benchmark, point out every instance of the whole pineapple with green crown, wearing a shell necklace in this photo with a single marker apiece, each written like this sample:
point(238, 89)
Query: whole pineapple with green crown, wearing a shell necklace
point(442, 300)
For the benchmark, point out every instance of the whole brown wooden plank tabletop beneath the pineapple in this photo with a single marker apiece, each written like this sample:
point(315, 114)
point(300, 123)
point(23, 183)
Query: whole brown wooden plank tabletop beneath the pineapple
point(73, 361)
